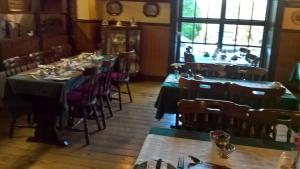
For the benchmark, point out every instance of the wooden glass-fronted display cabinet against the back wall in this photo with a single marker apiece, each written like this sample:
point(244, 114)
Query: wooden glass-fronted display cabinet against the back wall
point(117, 39)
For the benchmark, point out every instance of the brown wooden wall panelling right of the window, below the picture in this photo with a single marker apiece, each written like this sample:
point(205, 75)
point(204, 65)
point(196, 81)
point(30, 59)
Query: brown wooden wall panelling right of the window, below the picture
point(288, 55)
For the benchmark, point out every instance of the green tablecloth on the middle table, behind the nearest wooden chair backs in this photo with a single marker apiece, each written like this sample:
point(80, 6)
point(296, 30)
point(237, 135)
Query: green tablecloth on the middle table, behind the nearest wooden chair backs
point(169, 94)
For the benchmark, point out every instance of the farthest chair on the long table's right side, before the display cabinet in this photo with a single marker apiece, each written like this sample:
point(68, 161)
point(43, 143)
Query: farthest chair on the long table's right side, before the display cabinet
point(122, 75)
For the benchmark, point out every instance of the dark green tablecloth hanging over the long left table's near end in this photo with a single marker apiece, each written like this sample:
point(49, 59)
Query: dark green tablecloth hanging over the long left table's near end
point(21, 88)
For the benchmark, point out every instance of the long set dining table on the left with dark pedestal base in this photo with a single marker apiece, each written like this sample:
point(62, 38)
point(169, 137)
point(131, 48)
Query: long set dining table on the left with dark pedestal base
point(43, 91)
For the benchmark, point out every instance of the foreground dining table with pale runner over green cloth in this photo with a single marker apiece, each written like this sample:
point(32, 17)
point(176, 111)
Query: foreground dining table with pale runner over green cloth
point(170, 145)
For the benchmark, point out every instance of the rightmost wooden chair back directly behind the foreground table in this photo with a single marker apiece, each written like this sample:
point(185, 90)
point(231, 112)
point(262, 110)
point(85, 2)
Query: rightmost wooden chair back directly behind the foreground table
point(265, 121)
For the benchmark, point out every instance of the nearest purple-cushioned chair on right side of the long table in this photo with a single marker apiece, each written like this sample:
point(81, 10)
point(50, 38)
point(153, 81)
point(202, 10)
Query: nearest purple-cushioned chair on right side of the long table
point(82, 103)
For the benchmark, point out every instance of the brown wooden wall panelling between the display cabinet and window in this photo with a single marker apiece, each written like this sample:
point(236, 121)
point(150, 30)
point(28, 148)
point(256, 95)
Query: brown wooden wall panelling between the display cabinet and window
point(155, 50)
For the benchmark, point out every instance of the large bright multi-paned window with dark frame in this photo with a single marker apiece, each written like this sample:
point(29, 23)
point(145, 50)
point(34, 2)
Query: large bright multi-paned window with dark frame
point(227, 25)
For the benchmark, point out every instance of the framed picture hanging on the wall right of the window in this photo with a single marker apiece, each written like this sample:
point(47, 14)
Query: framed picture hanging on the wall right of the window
point(291, 18)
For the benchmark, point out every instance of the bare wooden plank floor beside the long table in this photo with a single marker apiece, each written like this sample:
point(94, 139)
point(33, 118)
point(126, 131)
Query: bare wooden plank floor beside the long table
point(115, 147)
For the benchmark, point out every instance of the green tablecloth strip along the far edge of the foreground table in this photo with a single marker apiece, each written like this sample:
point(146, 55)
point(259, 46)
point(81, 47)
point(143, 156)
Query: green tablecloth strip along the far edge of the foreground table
point(262, 143)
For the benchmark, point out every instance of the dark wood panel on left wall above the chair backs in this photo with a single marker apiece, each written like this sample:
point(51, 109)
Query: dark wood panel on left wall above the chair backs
point(16, 47)
